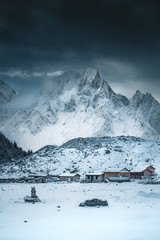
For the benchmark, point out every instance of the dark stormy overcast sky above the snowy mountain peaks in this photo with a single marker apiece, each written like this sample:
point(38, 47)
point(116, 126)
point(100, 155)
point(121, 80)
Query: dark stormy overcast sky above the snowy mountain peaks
point(121, 38)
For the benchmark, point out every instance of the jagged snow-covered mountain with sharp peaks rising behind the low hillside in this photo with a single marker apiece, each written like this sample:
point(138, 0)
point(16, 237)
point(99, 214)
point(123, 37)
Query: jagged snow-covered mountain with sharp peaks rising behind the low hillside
point(82, 105)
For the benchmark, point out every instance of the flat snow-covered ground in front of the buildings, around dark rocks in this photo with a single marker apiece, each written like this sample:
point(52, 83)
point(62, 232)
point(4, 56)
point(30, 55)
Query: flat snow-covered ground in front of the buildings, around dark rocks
point(132, 214)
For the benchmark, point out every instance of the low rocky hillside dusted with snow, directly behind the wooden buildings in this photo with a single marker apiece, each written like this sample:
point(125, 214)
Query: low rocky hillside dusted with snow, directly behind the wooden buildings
point(88, 155)
